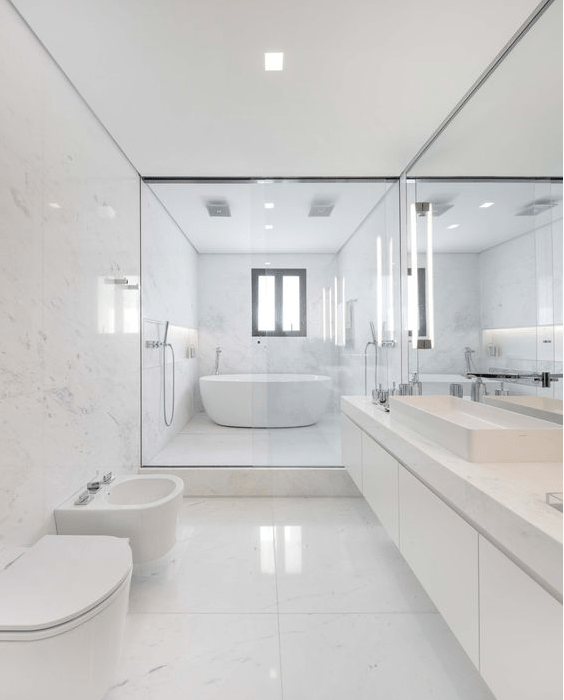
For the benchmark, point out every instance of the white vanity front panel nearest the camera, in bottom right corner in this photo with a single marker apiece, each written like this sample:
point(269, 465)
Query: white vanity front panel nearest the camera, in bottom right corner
point(520, 631)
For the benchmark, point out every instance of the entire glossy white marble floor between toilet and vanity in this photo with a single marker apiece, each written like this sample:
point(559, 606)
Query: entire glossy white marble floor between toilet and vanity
point(286, 598)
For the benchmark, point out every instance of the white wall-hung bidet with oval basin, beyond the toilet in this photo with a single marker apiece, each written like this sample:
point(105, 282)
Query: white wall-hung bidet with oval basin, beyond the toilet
point(141, 507)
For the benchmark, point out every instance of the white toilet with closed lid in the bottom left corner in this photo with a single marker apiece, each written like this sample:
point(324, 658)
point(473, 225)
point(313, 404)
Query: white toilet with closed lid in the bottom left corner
point(63, 604)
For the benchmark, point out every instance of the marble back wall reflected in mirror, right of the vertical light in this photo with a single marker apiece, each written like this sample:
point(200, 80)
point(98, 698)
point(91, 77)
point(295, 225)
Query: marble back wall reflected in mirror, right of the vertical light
point(457, 314)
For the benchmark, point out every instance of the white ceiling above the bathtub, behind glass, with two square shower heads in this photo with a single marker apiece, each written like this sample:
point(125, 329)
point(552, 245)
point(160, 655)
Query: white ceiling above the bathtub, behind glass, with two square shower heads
point(293, 231)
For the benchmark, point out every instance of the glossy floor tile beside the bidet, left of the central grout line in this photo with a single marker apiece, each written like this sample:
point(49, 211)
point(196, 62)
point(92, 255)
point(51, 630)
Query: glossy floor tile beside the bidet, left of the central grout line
point(223, 562)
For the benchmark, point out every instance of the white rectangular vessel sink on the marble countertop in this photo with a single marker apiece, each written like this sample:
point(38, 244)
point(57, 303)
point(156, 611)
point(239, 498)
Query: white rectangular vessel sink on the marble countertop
point(477, 432)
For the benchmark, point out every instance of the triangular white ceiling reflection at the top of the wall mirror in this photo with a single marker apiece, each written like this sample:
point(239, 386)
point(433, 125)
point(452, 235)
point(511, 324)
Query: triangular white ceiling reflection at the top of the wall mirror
point(513, 125)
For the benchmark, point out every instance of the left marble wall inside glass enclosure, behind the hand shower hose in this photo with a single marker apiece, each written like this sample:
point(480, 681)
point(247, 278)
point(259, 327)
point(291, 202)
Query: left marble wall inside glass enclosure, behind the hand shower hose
point(170, 279)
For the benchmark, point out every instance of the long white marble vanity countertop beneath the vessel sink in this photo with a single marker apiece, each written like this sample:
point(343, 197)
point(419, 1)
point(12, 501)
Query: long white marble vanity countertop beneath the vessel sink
point(504, 502)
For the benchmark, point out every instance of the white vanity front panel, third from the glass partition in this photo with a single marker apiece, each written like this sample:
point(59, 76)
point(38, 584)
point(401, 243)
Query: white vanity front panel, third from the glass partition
point(442, 550)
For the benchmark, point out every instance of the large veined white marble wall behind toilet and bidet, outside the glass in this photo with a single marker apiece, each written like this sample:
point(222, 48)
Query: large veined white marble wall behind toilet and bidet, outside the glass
point(69, 227)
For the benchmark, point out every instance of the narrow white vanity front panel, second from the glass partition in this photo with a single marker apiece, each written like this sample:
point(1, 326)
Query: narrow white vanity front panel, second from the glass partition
point(380, 484)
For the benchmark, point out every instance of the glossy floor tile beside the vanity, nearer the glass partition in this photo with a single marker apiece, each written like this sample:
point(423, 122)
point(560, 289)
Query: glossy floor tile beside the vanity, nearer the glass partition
point(335, 557)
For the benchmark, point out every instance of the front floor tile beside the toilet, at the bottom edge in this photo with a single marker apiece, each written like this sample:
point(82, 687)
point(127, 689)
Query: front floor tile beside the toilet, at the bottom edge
point(199, 657)
